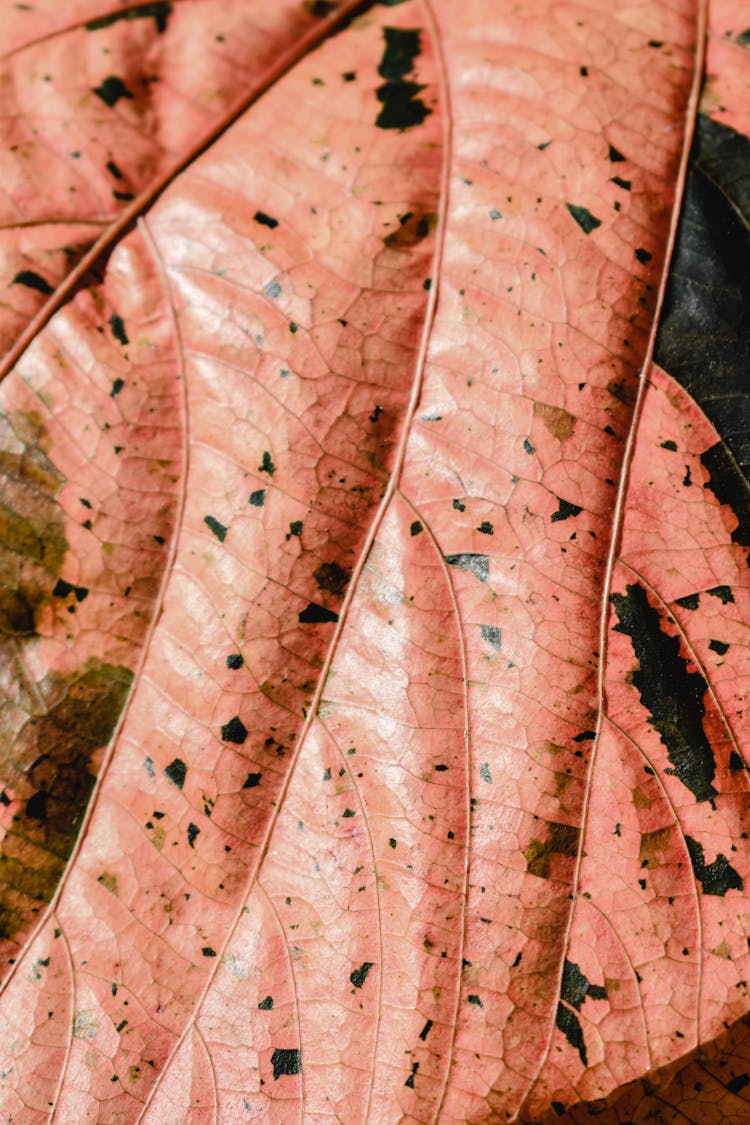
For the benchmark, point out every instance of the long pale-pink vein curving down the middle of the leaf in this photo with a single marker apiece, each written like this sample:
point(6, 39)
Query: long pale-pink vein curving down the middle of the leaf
point(375, 527)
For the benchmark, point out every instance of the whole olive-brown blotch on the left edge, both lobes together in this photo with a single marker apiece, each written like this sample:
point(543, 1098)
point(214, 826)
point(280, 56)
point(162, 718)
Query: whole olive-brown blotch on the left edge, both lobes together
point(48, 761)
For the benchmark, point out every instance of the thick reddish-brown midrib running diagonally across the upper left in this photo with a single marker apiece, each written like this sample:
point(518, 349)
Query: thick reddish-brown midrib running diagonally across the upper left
point(300, 49)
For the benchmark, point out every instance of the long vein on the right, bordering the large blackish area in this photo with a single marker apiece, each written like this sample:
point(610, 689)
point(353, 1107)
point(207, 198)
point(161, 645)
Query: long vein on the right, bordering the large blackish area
point(619, 512)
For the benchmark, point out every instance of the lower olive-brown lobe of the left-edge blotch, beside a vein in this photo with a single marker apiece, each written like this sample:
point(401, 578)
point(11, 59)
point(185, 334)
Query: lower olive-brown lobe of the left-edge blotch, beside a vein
point(57, 785)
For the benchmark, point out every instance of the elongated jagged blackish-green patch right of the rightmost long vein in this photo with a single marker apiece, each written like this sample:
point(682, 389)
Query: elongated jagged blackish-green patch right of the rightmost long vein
point(673, 696)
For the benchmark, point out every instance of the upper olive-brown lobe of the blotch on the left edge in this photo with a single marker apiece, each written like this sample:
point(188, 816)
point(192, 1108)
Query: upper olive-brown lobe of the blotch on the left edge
point(33, 543)
